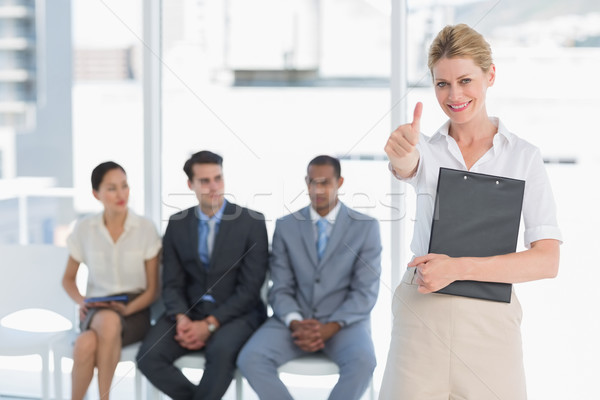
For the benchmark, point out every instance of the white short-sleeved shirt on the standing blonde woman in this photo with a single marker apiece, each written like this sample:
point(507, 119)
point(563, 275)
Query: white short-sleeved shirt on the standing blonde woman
point(510, 156)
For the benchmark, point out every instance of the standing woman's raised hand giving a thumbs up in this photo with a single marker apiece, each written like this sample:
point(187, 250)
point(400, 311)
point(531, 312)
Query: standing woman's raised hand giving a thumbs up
point(401, 145)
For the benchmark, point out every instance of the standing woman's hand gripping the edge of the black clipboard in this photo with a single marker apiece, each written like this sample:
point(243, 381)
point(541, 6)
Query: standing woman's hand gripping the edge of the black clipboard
point(434, 271)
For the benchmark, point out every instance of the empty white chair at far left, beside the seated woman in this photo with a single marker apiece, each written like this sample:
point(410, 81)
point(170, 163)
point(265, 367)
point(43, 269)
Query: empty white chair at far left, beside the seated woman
point(31, 278)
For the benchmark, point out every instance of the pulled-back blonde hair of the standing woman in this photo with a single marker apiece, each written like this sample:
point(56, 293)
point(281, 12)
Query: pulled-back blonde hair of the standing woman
point(460, 41)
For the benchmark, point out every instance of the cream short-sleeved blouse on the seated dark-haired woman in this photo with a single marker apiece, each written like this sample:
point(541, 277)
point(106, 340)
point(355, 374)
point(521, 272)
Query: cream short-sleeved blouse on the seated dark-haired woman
point(114, 267)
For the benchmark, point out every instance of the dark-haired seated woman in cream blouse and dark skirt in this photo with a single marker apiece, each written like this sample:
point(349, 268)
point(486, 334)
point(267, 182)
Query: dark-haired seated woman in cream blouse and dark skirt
point(121, 251)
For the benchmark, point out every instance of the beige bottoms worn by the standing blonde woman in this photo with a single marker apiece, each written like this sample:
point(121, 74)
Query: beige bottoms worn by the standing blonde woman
point(453, 348)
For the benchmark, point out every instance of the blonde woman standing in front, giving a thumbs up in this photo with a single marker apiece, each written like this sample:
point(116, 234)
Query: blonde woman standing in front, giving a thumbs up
point(451, 347)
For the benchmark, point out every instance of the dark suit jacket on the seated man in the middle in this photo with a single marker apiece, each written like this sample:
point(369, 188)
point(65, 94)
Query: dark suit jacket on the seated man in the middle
point(236, 272)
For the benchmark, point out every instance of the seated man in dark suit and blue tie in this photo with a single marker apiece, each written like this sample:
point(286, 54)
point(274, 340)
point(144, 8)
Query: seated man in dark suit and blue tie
point(215, 257)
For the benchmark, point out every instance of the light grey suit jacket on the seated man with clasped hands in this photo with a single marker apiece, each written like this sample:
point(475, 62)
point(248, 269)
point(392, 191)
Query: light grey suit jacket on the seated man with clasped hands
point(343, 285)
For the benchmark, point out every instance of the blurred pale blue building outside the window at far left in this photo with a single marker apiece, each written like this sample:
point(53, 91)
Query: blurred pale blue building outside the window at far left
point(35, 120)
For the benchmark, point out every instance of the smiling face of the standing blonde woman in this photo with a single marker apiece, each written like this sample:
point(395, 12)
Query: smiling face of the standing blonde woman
point(460, 88)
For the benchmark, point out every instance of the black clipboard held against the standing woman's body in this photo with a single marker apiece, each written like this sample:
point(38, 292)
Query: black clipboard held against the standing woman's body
point(476, 215)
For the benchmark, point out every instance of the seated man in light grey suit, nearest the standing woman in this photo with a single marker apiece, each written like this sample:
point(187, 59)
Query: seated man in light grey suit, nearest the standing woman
point(325, 268)
